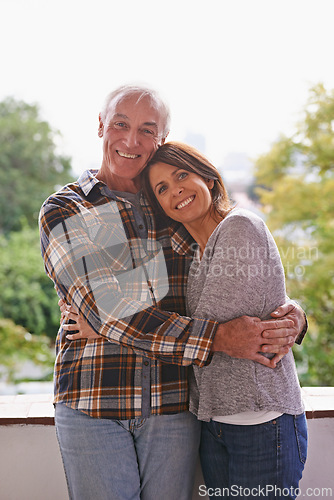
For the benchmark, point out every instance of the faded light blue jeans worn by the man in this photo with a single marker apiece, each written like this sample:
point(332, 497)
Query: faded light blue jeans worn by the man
point(128, 459)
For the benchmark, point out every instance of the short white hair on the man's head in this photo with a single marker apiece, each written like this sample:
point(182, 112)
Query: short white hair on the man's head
point(125, 91)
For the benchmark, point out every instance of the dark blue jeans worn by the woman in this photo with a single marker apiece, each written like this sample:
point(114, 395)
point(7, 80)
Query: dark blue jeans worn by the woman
point(254, 461)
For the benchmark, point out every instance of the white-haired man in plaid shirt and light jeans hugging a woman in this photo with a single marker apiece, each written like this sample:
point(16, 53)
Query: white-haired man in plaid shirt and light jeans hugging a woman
point(122, 398)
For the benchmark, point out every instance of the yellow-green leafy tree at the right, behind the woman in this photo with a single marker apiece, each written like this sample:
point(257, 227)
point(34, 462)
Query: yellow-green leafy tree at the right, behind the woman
point(297, 186)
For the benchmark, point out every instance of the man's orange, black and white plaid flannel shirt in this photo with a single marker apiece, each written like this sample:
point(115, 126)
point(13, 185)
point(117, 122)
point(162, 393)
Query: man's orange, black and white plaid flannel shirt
point(131, 290)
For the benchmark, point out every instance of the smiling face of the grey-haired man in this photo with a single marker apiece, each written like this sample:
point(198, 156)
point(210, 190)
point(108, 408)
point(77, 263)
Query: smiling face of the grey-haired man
point(132, 132)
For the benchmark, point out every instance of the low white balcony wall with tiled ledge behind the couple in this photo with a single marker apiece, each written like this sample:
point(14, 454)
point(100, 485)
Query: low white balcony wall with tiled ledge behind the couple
point(30, 462)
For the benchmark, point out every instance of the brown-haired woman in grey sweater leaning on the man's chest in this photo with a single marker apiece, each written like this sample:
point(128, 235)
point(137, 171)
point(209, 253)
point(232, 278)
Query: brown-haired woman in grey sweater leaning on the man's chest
point(254, 435)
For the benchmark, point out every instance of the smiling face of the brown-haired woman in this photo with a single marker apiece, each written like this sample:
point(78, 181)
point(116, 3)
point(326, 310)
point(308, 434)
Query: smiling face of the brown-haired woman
point(184, 196)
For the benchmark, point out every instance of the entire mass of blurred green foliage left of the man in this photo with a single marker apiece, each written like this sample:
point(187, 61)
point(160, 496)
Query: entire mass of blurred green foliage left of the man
point(30, 170)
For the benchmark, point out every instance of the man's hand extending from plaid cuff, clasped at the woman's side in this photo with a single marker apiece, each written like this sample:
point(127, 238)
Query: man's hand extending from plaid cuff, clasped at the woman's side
point(243, 338)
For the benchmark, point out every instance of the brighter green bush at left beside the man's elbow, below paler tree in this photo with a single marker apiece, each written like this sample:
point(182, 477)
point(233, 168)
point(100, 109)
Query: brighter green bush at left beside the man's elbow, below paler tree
point(27, 294)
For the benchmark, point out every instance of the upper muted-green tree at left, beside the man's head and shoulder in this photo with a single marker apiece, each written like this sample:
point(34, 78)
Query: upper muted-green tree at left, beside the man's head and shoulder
point(30, 167)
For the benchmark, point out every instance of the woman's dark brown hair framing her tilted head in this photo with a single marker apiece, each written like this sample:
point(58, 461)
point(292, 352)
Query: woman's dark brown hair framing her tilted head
point(187, 158)
